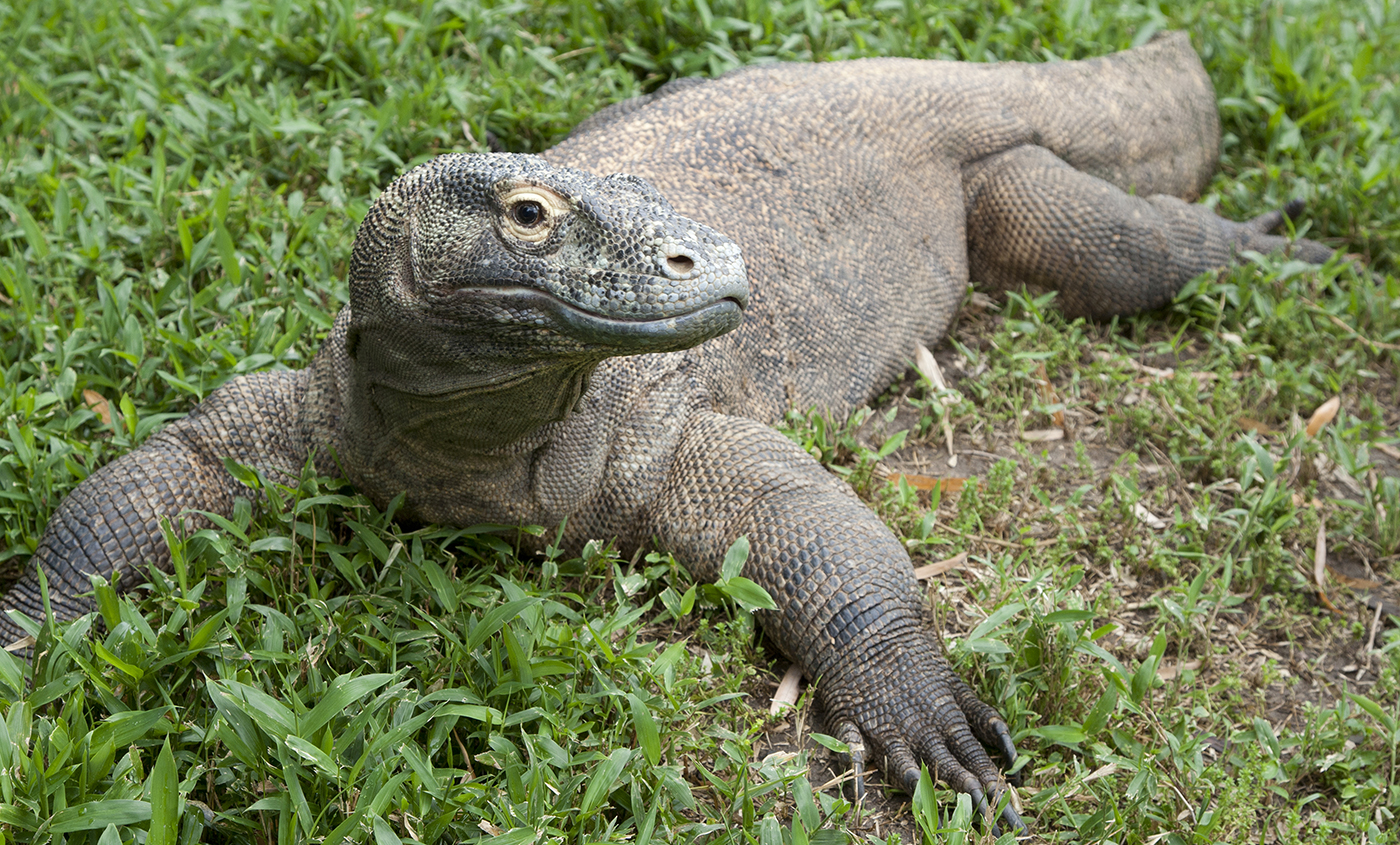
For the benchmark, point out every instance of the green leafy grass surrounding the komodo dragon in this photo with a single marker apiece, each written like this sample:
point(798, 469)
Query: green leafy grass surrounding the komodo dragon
point(178, 190)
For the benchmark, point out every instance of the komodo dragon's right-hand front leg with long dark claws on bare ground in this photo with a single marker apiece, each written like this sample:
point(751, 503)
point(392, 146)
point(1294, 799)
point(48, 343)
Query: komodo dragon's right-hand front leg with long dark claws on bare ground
point(849, 613)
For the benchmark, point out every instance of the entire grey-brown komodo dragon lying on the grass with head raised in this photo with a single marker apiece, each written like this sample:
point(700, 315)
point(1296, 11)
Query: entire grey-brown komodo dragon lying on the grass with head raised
point(521, 339)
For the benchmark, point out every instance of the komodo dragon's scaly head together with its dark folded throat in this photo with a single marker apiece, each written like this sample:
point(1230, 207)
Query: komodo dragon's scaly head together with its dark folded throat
point(486, 290)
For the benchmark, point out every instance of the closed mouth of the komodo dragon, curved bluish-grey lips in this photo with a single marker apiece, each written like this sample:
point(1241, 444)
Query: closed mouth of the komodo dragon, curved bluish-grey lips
point(628, 335)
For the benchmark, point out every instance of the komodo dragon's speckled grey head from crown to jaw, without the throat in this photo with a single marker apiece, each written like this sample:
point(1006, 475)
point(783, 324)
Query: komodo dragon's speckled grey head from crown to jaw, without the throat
point(545, 260)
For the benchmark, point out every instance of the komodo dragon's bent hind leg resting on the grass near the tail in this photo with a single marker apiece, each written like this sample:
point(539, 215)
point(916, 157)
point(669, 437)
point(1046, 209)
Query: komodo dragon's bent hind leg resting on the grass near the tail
point(1032, 219)
